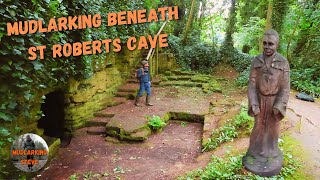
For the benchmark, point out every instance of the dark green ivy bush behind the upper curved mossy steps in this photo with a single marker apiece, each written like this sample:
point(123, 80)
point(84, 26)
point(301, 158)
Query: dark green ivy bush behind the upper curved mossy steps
point(196, 56)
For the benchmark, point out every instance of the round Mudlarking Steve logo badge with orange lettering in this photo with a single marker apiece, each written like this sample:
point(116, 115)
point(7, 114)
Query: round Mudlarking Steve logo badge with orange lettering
point(29, 152)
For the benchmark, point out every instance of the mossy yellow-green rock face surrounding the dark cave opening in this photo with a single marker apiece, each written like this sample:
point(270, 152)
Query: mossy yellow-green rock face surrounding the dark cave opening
point(82, 97)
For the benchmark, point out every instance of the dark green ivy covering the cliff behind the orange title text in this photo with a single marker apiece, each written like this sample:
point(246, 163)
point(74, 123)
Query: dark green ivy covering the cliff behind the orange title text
point(23, 81)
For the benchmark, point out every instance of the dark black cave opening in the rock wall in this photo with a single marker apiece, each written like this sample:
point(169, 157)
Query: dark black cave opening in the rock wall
point(53, 120)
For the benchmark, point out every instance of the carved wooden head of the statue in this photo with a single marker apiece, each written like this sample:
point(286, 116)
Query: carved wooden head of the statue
point(270, 42)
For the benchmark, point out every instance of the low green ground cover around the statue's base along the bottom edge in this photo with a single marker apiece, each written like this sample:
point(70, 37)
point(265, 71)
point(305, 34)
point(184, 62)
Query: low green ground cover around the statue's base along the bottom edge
point(231, 167)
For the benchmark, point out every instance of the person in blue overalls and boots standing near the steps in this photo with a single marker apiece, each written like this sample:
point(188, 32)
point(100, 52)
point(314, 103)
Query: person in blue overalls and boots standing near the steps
point(143, 76)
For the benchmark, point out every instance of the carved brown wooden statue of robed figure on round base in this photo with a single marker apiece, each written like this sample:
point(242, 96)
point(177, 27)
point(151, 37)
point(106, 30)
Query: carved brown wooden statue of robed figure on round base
point(268, 94)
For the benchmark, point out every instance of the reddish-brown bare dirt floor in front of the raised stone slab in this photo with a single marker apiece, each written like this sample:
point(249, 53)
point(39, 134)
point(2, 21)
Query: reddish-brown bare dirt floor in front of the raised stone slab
point(176, 147)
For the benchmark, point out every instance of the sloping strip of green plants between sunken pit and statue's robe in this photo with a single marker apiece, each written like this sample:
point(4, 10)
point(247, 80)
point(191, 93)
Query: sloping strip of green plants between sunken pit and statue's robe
point(242, 123)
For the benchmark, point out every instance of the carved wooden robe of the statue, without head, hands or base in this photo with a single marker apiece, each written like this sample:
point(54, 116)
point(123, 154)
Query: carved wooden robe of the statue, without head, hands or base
point(269, 88)
